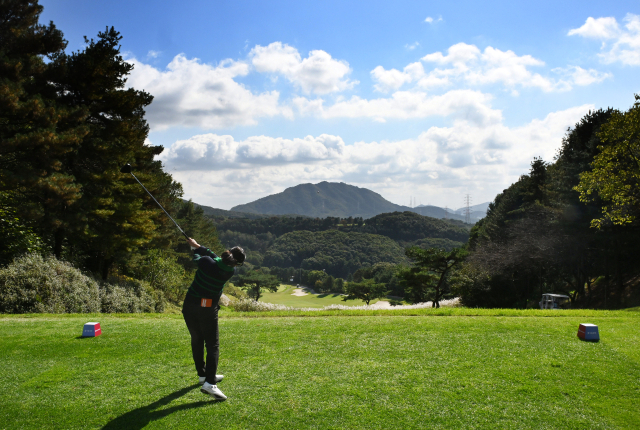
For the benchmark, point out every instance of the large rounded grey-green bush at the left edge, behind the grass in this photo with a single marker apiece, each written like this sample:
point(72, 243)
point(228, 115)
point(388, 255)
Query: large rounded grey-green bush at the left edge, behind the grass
point(35, 284)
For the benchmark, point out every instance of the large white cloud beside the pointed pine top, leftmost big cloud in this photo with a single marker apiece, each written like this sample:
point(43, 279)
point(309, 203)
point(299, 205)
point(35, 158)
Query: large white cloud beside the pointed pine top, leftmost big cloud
point(191, 94)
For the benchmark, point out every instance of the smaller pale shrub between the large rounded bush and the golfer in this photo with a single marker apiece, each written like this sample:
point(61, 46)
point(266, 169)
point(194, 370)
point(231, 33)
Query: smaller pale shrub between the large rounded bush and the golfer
point(130, 296)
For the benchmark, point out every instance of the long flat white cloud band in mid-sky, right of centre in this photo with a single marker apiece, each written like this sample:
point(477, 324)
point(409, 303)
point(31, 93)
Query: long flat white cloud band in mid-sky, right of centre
point(469, 105)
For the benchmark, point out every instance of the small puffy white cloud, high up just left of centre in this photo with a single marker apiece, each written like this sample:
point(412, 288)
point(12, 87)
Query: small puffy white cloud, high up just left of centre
point(319, 73)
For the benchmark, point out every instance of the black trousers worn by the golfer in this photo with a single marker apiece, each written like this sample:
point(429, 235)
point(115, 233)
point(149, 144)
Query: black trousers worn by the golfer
point(203, 327)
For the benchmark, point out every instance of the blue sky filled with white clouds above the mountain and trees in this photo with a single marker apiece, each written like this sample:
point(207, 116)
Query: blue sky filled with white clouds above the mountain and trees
point(418, 101)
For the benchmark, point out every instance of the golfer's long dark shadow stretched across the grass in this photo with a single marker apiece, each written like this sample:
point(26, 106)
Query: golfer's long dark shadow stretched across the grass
point(141, 417)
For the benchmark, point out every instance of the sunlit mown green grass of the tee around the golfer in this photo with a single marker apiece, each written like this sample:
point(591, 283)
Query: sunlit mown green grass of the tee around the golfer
point(375, 371)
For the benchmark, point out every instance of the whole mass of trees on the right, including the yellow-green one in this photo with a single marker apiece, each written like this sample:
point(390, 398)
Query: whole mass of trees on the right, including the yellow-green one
point(566, 227)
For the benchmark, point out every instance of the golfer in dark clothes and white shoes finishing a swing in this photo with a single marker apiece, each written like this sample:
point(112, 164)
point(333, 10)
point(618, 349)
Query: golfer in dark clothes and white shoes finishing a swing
point(200, 310)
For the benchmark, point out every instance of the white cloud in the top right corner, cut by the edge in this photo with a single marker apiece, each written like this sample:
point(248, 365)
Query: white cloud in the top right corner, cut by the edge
point(618, 44)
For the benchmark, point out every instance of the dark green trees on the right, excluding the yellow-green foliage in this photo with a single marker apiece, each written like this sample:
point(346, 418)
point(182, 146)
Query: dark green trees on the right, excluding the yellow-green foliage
point(536, 238)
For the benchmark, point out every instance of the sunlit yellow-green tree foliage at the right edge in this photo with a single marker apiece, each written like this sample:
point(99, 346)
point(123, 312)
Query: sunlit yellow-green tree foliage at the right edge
point(615, 174)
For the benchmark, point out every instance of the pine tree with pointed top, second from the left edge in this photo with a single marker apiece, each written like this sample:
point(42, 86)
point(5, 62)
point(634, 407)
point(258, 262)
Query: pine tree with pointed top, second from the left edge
point(118, 215)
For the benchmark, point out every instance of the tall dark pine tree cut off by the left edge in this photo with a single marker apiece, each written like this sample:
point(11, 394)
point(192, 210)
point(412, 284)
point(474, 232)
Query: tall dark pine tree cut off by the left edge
point(36, 131)
